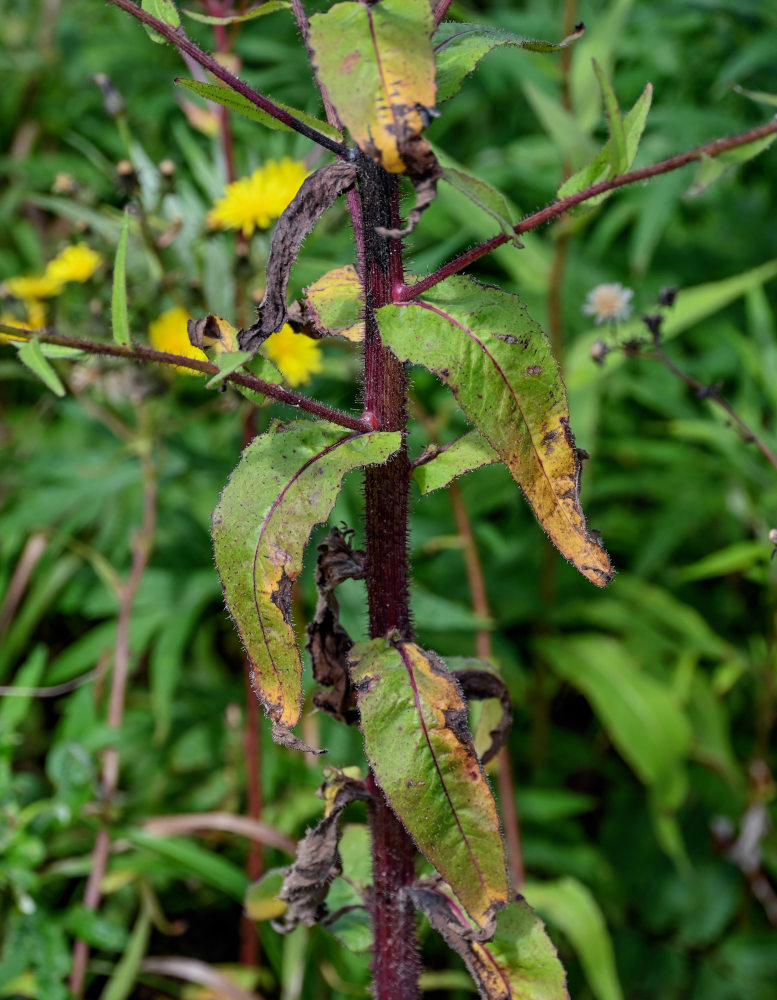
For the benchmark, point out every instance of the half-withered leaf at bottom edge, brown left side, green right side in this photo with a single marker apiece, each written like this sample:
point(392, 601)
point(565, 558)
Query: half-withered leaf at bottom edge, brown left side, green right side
point(518, 963)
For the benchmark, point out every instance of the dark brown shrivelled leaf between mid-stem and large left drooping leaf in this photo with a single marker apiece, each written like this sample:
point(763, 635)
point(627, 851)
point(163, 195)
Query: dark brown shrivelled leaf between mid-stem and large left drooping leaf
point(328, 642)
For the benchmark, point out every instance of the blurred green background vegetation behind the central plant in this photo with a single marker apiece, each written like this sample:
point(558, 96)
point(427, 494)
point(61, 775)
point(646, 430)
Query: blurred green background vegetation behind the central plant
point(642, 749)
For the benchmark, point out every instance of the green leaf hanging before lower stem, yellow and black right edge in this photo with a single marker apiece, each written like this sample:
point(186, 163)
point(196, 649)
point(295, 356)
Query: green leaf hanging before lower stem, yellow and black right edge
point(417, 740)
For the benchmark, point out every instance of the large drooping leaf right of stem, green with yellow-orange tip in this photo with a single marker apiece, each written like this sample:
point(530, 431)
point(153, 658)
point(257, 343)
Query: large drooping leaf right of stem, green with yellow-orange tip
point(498, 362)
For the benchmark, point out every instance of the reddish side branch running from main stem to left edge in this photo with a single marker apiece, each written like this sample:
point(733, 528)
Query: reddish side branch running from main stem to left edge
point(138, 352)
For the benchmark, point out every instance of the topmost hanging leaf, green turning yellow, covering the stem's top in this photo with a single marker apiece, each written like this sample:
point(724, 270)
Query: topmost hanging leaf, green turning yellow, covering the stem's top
point(377, 65)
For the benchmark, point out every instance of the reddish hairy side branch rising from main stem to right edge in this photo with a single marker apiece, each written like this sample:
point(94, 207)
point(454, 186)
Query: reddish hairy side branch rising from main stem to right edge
point(407, 292)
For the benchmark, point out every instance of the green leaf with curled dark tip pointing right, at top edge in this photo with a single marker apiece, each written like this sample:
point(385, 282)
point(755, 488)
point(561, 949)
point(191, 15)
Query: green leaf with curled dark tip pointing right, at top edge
point(459, 47)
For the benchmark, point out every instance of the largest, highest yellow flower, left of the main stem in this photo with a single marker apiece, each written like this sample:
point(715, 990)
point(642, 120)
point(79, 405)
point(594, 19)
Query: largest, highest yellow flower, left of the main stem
point(253, 202)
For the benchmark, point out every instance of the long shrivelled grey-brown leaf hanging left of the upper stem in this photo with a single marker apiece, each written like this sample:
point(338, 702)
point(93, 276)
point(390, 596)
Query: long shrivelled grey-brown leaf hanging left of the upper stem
point(317, 193)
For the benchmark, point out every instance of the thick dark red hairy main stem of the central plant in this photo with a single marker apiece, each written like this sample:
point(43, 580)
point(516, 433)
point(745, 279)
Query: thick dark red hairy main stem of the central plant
point(396, 963)
